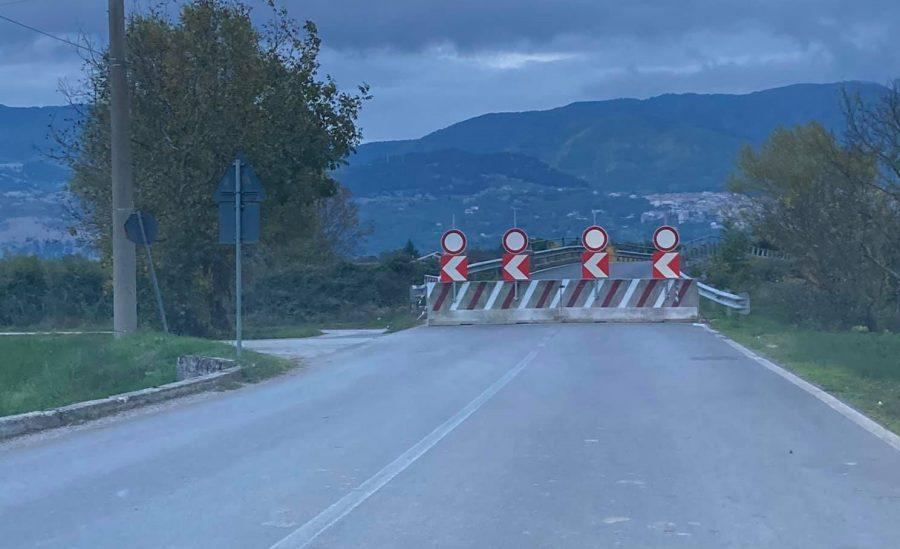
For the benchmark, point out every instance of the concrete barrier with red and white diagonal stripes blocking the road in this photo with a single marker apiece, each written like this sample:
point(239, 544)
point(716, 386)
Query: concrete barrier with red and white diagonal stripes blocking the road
point(567, 300)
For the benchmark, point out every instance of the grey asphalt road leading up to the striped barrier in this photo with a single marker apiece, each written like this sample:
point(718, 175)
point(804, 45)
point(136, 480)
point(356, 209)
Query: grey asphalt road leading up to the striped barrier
point(576, 435)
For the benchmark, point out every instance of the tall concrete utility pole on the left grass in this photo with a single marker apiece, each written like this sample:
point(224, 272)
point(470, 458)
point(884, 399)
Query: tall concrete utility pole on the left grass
point(124, 278)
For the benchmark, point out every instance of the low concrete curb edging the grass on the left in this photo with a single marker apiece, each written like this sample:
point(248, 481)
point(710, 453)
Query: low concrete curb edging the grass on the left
point(80, 412)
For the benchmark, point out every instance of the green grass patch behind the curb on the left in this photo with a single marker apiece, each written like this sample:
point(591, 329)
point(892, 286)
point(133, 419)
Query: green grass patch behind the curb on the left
point(44, 372)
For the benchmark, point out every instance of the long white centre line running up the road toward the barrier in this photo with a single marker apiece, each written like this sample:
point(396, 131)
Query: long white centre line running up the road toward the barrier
point(305, 535)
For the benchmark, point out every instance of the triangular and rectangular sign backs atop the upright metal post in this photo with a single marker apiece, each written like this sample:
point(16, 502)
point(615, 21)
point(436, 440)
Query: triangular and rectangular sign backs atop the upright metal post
point(252, 193)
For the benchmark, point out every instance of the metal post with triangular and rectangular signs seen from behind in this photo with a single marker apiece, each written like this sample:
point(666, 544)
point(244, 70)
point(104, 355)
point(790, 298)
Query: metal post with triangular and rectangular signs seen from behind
point(238, 195)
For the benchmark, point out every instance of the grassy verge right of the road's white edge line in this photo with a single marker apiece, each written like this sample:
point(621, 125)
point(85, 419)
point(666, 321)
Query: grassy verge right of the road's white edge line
point(860, 368)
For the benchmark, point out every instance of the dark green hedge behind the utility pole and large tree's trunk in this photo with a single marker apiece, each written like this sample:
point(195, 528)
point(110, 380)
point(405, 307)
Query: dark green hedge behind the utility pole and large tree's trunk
point(75, 291)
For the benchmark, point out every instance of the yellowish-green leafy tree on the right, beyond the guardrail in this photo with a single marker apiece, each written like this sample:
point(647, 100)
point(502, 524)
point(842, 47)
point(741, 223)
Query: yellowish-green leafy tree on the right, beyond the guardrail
point(817, 201)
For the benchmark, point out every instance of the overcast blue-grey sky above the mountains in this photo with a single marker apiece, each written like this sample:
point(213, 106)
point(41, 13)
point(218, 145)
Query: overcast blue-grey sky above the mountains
point(431, 63)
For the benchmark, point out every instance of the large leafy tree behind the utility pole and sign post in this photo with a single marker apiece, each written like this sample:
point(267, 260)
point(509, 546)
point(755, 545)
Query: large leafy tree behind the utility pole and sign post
point(203, 88)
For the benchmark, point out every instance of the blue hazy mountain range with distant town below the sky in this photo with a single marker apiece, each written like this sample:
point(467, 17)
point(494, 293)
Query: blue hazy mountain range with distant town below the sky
point(628, 163)
